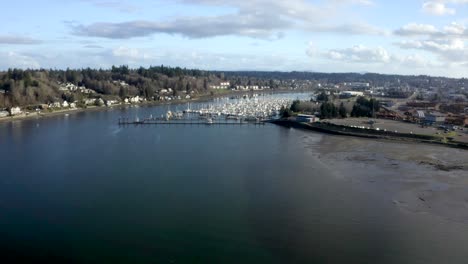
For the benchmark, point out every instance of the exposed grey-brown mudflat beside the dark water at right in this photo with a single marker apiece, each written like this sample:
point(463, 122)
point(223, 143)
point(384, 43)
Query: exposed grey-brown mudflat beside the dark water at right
point(418, 179)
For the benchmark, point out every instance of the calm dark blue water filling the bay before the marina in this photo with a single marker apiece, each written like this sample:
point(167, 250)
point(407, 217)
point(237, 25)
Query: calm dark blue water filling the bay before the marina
point(80, 189)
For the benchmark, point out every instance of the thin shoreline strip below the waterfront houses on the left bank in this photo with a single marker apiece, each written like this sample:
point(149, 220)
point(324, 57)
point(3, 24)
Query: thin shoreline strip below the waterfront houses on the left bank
point(201, 98)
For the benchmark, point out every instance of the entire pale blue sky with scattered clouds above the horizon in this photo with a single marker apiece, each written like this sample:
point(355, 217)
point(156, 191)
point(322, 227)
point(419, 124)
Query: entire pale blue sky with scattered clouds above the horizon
point(408, 37)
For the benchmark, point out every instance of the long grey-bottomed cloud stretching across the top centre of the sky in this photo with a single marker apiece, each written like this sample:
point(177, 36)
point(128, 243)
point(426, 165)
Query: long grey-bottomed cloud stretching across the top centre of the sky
point(254, 18)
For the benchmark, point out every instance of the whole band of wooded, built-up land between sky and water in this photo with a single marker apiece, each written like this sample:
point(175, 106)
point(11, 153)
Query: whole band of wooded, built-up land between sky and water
point(423, 100)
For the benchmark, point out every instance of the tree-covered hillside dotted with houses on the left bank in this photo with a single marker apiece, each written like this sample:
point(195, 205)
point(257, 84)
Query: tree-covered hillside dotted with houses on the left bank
point(31, 87)
